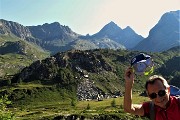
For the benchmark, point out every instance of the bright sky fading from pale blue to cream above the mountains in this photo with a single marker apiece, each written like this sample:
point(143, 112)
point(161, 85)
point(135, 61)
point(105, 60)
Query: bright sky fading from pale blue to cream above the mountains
point(88, 16)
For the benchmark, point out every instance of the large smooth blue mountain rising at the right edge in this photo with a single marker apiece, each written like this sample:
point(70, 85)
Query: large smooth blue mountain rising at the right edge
point(164, 35)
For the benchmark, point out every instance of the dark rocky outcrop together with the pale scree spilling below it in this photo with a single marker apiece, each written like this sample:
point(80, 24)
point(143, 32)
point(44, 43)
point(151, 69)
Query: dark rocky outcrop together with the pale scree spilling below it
point(66, 68)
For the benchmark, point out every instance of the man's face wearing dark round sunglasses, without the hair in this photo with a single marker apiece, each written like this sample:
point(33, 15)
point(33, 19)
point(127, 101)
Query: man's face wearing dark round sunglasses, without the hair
point(160, 97)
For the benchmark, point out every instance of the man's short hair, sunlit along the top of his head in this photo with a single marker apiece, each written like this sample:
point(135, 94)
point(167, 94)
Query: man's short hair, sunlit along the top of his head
point(153, 78)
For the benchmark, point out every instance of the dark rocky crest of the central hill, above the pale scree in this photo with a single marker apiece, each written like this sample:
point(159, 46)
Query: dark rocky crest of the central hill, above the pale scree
point(78, 61)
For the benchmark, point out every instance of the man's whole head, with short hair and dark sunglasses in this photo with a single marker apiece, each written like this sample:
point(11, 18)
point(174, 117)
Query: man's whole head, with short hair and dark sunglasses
point(158, 90)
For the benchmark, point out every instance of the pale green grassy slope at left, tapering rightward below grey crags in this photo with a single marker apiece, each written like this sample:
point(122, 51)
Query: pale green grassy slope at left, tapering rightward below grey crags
point(12, 63)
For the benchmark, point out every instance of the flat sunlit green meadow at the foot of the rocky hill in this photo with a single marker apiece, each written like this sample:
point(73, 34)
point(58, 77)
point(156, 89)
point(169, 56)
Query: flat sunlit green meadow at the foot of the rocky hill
point(53, 109)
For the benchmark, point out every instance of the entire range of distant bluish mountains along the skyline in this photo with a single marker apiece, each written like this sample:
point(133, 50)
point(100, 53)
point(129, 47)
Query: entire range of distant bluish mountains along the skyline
point(55, 37)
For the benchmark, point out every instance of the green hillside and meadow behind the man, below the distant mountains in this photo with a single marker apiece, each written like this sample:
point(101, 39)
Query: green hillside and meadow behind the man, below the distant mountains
point(50, 90)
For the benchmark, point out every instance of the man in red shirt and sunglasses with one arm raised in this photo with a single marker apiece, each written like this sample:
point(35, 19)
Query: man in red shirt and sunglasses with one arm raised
point(166, 107)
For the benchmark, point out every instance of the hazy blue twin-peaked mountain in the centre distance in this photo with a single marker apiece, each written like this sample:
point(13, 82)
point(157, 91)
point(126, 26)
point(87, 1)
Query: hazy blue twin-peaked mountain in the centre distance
point(125, 37)
